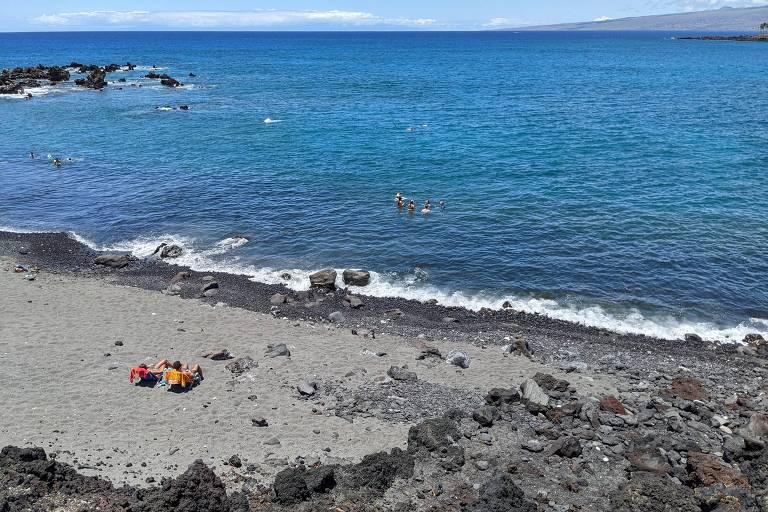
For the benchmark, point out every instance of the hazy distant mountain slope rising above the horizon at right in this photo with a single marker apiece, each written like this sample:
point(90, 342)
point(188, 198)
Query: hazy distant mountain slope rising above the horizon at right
point(726, 19)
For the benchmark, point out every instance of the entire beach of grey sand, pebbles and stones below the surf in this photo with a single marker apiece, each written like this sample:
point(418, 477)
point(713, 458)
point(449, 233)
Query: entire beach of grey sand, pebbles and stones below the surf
point(70, 316)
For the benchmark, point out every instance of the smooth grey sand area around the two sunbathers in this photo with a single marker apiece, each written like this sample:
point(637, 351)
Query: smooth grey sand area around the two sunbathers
point(66, 395)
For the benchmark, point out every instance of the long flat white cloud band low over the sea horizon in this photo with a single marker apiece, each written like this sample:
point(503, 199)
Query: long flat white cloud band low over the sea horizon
point(226, 19)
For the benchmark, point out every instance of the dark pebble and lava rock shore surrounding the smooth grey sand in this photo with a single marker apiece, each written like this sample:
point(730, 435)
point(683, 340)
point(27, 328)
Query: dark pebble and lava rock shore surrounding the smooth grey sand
point(685, 430)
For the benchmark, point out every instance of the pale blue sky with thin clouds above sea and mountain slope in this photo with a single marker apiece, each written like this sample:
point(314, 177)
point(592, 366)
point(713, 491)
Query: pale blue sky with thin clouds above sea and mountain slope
point(65, 15)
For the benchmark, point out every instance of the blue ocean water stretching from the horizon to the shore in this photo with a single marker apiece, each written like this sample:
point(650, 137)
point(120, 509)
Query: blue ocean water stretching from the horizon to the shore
point(613, 179)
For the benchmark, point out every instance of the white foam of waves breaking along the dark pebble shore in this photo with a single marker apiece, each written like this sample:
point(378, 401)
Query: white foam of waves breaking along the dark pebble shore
point(415, 286)
